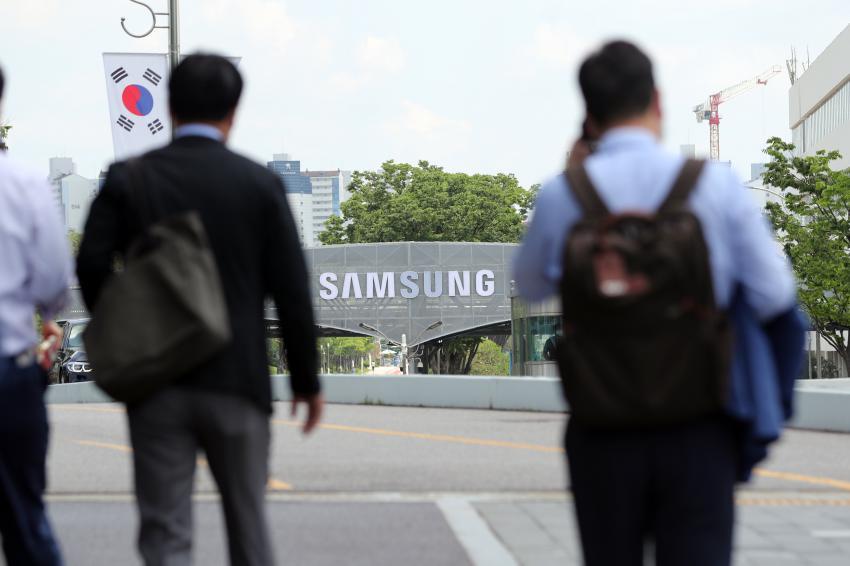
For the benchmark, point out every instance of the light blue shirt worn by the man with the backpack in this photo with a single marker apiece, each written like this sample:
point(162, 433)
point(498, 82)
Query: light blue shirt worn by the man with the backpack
point(632, 171)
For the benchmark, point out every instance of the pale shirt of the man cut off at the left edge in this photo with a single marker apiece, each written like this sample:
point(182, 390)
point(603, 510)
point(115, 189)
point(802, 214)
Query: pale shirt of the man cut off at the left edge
point(35, 262)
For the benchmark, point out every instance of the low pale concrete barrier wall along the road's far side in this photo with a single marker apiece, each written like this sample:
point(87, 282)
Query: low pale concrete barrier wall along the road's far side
point(819, 405)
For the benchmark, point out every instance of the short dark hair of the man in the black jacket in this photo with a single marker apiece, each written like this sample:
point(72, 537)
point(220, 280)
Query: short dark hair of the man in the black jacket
point(204, 88)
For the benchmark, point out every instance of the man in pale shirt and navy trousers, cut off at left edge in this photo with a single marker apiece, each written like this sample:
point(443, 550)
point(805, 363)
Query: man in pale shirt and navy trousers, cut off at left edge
point(35, 271)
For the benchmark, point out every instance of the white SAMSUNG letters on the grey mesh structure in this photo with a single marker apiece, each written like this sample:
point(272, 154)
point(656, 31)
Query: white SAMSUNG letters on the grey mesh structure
point(407, 284)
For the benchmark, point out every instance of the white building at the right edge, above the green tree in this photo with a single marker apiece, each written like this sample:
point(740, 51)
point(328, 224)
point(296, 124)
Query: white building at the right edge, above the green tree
point(819, 103)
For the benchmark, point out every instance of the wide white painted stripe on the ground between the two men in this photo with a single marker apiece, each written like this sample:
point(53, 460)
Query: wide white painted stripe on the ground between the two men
point(473, 533)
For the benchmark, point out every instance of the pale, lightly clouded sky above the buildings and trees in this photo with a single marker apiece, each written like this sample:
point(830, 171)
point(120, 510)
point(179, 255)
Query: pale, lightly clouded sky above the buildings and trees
point(472, 85)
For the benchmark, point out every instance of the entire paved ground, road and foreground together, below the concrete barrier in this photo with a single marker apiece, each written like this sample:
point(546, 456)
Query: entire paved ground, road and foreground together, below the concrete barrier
point(381, 485)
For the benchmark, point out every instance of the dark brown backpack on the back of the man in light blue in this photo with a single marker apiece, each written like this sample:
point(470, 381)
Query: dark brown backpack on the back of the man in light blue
point(644, 344)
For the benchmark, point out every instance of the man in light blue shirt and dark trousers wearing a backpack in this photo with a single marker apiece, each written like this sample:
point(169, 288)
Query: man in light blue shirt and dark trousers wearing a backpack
point(672, 484)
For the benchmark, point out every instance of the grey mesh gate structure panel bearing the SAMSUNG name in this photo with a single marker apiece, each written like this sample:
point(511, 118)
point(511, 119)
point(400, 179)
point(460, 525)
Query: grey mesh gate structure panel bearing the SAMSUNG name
point(406, 288)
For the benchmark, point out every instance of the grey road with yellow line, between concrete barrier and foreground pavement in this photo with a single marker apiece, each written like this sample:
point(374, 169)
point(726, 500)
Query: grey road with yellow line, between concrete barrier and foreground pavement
point(385, 449)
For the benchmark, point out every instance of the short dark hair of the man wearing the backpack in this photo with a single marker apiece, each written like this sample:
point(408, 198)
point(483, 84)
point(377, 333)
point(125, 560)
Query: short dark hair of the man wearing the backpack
point(616, 82)
